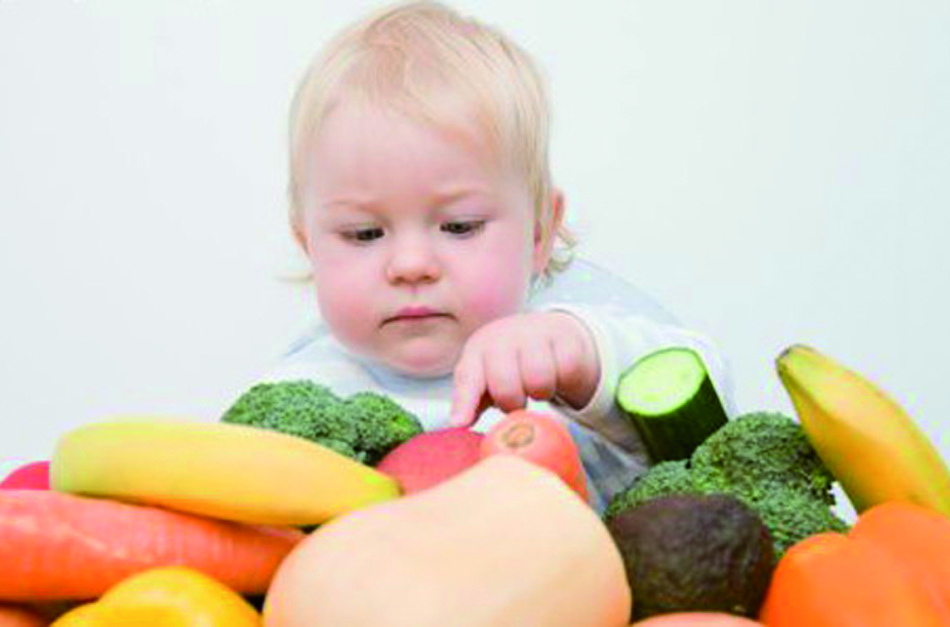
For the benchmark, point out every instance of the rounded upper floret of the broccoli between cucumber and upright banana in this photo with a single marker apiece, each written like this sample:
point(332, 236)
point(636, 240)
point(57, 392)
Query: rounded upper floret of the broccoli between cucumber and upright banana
point(758, 454)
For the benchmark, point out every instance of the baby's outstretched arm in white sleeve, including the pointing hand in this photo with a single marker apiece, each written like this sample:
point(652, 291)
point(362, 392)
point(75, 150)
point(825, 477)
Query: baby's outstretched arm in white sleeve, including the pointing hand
point(573, 356)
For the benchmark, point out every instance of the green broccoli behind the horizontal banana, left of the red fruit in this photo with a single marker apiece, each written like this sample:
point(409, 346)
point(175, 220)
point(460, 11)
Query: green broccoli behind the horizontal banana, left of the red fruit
point(364, 426)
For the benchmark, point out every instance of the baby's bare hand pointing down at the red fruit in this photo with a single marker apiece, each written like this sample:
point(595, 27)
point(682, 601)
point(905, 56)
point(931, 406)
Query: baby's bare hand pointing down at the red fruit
point(537, 355)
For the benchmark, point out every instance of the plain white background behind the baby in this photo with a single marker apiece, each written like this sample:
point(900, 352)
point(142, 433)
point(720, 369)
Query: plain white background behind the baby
point(772, 172)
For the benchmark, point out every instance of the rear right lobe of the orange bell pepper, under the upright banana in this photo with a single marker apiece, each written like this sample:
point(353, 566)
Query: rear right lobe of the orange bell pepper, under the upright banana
point(917, 537)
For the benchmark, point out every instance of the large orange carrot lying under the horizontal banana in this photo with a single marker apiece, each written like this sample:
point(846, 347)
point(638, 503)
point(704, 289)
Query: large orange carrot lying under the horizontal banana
point(60, 546)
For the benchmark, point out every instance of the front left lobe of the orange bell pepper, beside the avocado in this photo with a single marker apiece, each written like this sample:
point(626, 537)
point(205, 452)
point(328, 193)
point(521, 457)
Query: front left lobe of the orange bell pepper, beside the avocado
point(832, 580)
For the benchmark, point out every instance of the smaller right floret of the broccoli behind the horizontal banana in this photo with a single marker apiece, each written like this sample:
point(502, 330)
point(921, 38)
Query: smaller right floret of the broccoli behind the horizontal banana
point(381, 424)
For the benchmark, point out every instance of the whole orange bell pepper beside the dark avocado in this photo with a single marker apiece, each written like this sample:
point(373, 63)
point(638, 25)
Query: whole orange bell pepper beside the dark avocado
point(891, 569)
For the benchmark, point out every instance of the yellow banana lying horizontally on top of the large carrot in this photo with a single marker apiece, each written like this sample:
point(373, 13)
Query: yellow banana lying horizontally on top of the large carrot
point(220, 470)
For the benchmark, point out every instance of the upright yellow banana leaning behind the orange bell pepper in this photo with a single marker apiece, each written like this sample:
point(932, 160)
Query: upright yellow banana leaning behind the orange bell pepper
point(867, 441)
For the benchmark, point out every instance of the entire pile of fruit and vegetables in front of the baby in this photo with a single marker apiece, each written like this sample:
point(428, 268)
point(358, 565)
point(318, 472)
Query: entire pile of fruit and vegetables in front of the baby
point(175, 523)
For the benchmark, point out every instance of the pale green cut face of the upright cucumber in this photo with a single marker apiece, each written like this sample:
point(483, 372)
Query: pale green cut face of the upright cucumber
point(661, 382)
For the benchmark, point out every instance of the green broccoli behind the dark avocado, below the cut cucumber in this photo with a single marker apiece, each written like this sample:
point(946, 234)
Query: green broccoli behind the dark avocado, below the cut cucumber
point(763, 459)
